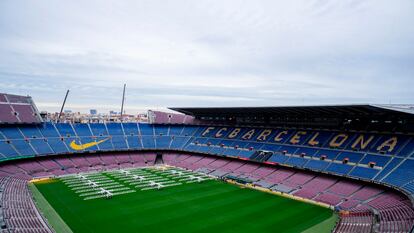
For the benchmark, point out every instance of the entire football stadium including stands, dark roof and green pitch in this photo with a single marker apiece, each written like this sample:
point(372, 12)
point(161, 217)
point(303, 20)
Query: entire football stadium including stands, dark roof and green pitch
point(333, 168)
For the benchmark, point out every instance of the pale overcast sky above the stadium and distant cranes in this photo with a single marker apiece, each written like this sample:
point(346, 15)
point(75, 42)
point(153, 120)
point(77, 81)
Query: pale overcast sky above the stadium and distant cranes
point(207, 53)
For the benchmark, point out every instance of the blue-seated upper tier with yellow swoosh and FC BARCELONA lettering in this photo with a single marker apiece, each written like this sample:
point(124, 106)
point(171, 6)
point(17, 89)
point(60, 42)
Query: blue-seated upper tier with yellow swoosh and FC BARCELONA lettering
point(384, 158)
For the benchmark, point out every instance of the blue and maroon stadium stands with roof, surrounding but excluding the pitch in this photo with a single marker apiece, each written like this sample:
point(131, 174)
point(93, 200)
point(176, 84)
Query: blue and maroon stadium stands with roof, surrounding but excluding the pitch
point(356, 159)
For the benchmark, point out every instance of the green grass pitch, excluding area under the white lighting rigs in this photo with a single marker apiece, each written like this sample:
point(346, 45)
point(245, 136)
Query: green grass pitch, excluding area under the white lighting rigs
point(211, 206)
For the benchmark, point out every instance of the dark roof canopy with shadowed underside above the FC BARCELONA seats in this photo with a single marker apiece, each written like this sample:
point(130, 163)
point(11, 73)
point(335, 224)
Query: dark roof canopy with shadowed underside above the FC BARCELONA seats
point(373, 117)
